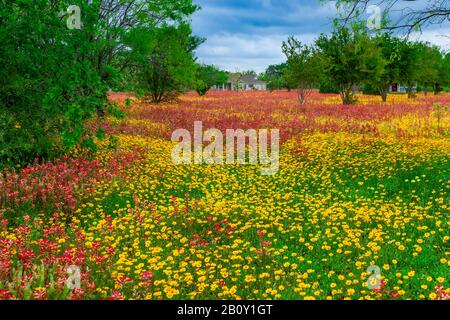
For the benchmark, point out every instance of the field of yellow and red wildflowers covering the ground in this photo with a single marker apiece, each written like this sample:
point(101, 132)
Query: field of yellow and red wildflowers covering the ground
point(362, 196)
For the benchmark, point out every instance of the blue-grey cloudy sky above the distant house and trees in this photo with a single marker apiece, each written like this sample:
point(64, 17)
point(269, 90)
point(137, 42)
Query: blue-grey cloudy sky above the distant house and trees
point(247, 34)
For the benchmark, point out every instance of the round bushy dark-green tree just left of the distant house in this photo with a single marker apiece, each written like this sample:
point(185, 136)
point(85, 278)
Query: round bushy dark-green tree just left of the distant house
point(164, 65)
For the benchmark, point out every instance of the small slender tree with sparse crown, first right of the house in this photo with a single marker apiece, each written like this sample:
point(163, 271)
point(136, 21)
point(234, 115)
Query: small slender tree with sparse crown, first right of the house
point(303, 67)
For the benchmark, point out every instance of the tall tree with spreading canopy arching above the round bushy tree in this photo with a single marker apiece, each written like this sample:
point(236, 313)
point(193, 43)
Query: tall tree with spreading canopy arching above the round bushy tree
point(110, 21)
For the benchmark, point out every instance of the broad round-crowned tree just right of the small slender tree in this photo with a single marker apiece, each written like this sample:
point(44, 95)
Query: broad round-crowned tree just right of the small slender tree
point(350, 58)
